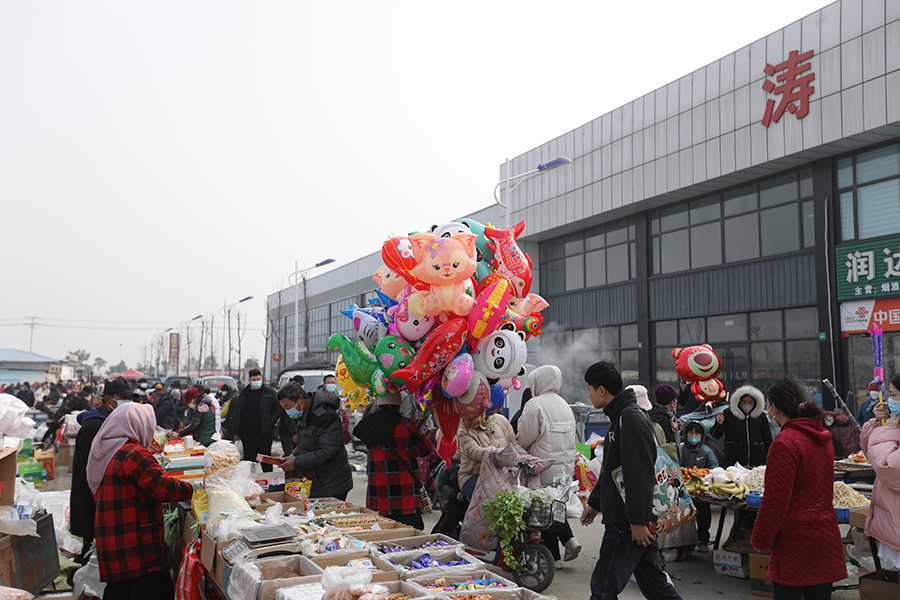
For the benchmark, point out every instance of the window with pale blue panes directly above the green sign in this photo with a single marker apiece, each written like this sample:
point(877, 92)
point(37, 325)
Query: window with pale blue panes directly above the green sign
point(869, 193)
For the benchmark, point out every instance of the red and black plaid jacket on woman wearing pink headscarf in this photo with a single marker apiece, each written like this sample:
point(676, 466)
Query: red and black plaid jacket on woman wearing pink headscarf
point(129, 525)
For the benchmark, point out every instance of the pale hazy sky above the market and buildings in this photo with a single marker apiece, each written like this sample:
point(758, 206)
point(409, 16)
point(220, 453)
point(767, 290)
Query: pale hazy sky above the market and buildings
point(157, 159)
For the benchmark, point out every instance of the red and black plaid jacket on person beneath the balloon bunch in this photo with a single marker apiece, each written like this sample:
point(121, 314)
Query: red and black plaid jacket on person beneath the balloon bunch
point(391, 487)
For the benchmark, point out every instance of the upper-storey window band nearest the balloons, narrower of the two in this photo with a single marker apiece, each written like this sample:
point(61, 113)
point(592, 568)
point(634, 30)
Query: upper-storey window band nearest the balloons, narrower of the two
point(591, 258)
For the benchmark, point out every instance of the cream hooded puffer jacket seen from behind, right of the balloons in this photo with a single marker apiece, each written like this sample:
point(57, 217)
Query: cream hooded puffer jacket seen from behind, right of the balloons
point(547, 426)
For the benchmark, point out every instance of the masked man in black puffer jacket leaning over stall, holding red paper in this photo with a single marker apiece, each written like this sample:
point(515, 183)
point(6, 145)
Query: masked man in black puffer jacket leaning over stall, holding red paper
point(320, 454)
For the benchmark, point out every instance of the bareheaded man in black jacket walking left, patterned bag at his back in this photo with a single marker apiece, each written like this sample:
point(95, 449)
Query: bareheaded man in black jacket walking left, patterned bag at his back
point(629, 544)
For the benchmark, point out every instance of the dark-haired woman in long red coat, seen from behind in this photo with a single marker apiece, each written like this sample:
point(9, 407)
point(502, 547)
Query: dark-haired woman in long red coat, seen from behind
point(797, 521)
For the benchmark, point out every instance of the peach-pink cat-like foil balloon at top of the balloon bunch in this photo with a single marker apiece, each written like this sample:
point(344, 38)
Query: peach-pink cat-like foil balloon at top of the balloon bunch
point(446, 265)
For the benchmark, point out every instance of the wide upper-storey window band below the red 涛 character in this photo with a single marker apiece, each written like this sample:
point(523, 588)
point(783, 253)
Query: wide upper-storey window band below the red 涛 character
point(760, 219)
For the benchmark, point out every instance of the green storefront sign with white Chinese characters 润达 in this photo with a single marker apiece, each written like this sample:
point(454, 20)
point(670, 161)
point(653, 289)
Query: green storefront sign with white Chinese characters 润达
point(870, 270)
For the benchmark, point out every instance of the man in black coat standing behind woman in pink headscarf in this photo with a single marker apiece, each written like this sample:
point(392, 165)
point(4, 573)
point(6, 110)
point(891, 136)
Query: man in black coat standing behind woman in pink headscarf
point(81, 501)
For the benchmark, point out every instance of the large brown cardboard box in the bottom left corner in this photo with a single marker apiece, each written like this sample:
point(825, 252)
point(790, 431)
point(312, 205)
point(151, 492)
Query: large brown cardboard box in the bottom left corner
point(30, 563)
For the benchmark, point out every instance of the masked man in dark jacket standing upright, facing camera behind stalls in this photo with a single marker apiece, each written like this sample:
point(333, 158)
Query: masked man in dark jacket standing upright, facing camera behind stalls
point(252, 418)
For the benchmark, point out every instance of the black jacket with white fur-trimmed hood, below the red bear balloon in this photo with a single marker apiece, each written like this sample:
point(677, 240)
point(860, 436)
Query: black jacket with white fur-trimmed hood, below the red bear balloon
point(747, 437)
